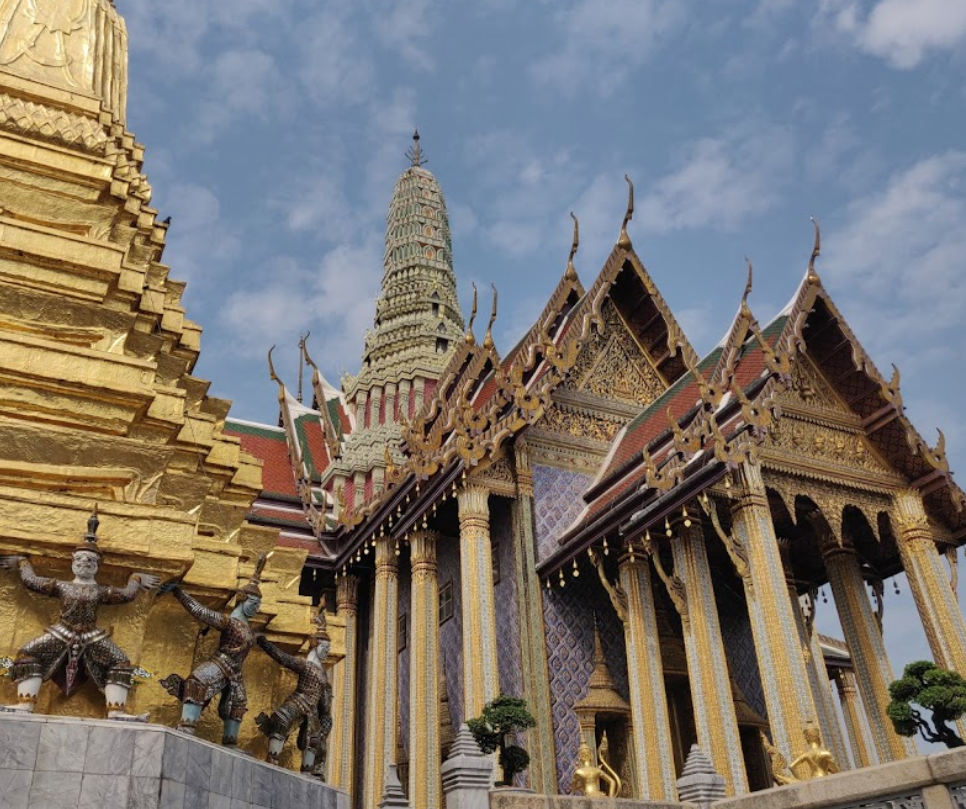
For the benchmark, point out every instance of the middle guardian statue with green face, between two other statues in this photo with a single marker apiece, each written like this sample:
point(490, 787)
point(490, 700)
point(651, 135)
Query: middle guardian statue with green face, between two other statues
point(222, 672)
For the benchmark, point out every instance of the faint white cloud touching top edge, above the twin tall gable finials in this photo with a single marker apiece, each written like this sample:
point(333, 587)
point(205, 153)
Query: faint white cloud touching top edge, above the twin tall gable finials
point(602, 41)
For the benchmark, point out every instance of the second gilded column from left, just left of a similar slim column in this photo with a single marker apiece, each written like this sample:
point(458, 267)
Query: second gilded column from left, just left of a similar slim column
point(381, 692)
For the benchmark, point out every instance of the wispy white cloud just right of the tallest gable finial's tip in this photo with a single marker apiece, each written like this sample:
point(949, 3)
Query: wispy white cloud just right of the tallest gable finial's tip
point(720, 182)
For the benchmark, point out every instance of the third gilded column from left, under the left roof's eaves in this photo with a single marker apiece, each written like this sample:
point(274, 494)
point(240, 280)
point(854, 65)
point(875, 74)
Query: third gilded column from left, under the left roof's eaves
point(424, 748)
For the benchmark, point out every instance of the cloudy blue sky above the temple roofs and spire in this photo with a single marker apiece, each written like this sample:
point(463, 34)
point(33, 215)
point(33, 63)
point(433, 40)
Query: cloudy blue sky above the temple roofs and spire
point(275, 130)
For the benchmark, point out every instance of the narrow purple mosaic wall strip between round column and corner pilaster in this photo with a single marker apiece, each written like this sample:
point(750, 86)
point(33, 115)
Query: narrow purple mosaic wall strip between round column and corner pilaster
point(505, 600)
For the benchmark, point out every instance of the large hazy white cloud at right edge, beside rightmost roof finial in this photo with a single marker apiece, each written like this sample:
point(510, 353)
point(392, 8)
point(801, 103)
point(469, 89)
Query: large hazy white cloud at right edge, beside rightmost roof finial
point(900, 255)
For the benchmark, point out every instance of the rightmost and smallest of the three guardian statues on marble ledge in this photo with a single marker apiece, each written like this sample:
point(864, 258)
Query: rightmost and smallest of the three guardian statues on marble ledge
point(309, 706)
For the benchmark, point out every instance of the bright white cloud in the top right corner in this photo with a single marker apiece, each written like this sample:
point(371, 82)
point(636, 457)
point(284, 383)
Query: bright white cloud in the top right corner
point(903, 32)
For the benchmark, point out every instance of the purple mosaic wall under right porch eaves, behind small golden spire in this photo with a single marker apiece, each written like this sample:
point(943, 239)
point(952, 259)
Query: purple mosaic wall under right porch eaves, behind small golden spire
point(568, 615)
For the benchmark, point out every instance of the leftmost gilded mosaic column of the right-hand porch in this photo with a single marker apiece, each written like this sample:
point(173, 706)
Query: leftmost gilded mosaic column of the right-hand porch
point(653, 753)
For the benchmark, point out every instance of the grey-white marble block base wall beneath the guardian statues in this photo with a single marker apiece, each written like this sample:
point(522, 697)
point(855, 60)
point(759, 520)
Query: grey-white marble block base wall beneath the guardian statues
point(57, 763)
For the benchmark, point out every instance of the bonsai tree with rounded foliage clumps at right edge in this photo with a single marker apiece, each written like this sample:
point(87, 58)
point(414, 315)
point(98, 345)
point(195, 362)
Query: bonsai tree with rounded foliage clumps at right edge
point(928, 686)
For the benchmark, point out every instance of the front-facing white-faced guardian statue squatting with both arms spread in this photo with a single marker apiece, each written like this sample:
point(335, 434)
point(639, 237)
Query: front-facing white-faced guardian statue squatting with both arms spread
point(75, 648)
